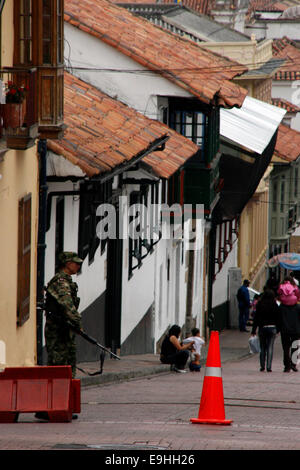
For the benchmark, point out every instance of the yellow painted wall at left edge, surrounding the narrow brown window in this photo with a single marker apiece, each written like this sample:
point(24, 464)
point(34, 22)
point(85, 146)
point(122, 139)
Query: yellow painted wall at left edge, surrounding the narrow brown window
point(19, 176)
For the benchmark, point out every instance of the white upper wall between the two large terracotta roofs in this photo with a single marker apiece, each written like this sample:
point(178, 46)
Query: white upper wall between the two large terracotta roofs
point(137, 90)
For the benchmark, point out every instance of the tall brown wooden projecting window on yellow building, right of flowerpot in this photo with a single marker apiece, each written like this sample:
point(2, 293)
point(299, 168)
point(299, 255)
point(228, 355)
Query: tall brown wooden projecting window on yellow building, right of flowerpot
point(38, 42)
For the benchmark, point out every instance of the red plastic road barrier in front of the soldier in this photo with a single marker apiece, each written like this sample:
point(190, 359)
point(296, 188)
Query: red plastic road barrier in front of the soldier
point(41, 388)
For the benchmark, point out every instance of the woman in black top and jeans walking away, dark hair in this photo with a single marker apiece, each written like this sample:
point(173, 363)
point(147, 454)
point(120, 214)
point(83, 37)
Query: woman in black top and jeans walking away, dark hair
point(266, 318)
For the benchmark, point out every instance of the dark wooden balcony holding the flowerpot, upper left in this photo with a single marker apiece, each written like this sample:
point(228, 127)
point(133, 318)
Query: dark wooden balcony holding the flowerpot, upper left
point(19, 124)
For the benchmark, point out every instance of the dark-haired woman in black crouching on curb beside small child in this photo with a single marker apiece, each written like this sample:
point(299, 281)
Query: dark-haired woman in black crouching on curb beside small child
point(174, 353)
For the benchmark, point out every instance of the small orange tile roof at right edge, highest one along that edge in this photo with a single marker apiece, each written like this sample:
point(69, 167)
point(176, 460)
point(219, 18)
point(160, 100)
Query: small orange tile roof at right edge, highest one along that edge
point(284, 48)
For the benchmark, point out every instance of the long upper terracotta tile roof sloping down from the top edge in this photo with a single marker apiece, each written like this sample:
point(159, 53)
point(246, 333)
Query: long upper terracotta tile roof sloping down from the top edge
point(204, 74)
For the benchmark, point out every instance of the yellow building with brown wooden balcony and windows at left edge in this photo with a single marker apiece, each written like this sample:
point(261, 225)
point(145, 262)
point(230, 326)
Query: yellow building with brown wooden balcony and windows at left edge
point(31, 108)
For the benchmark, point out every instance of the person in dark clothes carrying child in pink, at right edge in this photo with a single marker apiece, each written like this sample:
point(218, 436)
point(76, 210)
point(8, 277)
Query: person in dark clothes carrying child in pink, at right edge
point(289, 296)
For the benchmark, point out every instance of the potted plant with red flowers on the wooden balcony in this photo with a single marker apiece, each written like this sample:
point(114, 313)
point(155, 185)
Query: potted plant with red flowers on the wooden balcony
point(14, 108)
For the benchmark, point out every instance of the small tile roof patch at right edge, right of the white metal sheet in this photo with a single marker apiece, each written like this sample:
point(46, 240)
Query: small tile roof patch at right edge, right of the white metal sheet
point(287, 144)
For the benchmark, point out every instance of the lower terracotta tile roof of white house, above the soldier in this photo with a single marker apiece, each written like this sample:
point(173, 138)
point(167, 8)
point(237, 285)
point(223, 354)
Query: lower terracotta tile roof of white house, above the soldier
point(104, 134)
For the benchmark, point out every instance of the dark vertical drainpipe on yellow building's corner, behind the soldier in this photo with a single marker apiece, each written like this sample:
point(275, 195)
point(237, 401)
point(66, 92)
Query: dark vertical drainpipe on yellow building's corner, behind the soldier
point(41, 246)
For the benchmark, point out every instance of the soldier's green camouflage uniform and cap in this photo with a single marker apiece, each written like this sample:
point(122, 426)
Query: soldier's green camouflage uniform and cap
point(61, 309)
